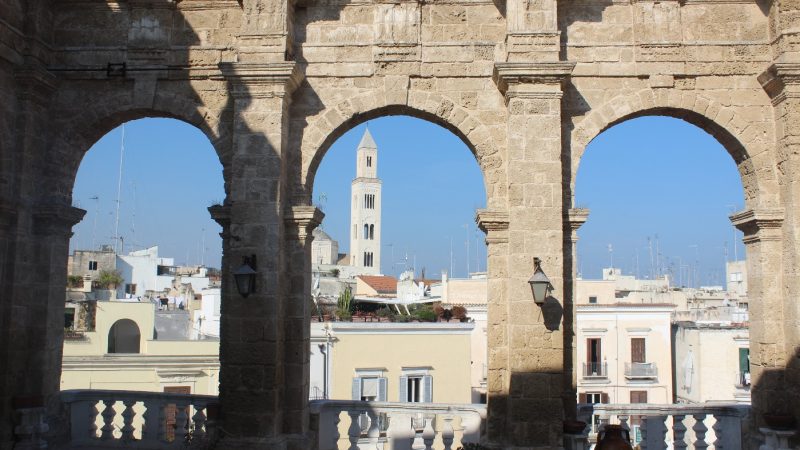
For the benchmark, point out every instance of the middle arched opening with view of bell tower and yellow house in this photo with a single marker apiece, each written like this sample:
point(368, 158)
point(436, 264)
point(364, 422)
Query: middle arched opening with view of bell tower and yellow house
point(414, 186)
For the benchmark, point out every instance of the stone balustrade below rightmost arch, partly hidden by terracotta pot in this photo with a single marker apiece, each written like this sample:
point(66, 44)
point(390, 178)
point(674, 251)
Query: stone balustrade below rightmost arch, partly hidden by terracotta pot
point(674, 426)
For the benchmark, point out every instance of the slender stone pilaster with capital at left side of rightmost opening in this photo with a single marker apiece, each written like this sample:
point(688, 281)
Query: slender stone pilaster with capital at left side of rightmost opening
point(576, 217)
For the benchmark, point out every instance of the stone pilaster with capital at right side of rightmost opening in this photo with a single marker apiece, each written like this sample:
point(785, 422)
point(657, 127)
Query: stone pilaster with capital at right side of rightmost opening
point(763, 239)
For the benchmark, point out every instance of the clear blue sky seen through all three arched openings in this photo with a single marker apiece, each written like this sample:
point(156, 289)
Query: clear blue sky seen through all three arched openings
point(655, 177)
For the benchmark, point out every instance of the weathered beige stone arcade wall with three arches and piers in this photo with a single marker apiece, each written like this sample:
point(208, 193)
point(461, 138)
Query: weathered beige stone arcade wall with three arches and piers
point(526, 85)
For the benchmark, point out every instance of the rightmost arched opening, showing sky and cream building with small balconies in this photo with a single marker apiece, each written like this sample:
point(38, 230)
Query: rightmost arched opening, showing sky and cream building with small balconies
point(661, 276)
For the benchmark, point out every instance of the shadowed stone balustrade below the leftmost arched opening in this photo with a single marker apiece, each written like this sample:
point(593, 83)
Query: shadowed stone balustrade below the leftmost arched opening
point(141, 420)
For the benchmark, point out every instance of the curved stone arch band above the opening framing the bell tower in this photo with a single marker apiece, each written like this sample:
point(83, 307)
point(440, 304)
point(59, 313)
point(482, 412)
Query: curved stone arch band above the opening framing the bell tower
point(438, 109)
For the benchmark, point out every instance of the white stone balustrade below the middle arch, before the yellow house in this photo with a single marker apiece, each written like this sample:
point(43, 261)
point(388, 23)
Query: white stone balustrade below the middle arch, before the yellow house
point(396, 426)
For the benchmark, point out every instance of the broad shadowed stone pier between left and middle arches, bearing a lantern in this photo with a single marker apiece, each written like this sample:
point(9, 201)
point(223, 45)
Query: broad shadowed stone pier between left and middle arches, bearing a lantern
point(253, 330)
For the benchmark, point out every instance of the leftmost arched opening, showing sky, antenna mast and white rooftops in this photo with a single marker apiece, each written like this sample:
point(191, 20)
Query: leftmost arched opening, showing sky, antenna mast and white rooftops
point(148, 250)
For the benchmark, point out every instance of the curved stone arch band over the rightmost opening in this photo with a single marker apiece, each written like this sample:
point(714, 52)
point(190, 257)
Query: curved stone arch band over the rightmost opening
point(747, 145)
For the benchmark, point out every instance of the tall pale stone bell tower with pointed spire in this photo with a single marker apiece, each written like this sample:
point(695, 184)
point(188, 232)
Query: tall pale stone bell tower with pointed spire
point(365, 210)
